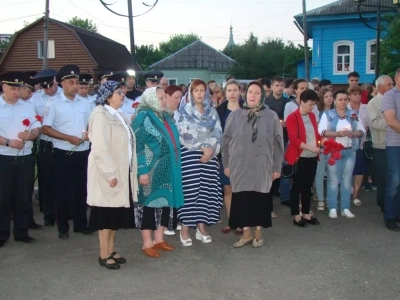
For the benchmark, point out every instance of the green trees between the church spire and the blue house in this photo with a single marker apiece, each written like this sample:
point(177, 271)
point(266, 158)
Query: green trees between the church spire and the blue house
point(266, 59)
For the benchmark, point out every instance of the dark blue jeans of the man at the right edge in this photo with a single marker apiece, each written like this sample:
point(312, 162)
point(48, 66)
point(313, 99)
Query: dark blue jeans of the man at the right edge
point(392, 197)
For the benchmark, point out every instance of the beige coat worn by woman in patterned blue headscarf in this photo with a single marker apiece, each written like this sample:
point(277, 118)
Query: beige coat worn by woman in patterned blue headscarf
point(109, 159)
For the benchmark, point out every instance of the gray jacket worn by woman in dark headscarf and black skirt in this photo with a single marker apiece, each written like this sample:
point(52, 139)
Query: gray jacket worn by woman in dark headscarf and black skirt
point(251, 164)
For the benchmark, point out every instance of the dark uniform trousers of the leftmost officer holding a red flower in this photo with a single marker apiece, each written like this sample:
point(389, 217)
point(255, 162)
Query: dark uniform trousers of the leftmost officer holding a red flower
point(15, 194)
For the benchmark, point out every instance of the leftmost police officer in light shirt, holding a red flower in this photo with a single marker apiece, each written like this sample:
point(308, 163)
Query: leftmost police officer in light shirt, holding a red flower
point(16, 159)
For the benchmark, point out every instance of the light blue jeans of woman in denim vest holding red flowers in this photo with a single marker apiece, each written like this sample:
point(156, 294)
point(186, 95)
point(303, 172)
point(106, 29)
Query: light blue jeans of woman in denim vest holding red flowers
point(341, 173)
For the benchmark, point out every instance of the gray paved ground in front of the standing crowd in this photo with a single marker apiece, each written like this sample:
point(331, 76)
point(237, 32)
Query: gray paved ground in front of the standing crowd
point(340, 259)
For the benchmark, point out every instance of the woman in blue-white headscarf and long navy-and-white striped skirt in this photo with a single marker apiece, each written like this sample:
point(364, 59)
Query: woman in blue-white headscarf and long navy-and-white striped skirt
point(200, 135)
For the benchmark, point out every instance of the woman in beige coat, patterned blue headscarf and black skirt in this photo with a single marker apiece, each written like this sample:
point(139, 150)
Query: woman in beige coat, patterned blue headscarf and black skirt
point(112, 172)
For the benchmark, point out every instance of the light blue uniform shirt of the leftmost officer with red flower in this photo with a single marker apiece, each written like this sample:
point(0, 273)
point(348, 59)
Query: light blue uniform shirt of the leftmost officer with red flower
point(11, 117)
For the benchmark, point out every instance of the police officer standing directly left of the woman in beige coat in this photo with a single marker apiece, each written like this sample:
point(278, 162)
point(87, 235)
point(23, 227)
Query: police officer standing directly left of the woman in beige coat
point(66, 121)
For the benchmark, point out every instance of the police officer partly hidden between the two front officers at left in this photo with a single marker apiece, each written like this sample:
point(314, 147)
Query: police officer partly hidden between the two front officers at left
point(49, 91)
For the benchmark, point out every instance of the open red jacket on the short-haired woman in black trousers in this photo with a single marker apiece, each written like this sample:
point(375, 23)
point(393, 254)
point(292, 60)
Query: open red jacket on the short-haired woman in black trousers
point(297, 135)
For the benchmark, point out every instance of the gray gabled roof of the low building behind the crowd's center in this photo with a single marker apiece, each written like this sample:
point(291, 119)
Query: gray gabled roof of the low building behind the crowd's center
point(197, 55)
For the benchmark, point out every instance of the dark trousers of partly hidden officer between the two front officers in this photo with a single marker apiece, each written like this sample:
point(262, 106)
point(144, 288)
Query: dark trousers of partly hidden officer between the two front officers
point(46, 180)
